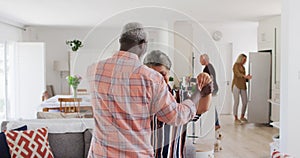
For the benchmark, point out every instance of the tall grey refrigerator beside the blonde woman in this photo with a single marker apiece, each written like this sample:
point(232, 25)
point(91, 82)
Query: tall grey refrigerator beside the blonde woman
point(259, 87)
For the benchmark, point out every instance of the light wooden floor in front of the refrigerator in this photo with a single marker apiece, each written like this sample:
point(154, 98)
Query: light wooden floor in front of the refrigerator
point(245, 141)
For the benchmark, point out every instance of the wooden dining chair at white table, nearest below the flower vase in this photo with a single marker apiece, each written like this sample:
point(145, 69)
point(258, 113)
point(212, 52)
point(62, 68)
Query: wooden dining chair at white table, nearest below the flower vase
point(69, 105)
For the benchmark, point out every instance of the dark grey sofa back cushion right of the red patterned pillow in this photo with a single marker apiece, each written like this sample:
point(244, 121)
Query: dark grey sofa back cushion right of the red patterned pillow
point(67, 145)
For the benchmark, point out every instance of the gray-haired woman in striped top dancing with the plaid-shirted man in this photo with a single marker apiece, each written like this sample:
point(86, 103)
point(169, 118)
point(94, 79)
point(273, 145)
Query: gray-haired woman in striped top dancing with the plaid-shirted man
point(168, 141)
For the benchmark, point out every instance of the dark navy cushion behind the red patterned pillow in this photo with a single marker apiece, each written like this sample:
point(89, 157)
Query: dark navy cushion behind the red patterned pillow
point(4, 149)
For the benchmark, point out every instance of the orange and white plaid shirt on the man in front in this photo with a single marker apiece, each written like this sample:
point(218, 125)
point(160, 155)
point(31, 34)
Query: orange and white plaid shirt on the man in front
point(125, 96)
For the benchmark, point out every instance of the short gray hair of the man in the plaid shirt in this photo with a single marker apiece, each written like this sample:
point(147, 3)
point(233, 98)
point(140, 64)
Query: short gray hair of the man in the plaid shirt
point(133, 32)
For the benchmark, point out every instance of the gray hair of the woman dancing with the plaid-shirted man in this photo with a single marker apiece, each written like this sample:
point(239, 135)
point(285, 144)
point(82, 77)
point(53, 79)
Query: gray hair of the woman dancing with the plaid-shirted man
point(157, 58)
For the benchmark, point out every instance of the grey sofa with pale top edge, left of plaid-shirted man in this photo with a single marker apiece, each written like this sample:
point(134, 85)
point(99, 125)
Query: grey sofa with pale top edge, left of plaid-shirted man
point(68, 137)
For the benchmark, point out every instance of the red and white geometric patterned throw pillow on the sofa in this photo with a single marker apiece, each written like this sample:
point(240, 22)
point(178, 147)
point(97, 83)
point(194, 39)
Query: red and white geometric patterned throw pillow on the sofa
point(29, 143)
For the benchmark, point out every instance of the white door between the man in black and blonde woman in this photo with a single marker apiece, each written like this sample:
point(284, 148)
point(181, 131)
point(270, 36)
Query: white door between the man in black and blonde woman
point(225, 95)
